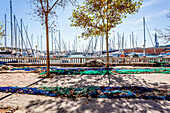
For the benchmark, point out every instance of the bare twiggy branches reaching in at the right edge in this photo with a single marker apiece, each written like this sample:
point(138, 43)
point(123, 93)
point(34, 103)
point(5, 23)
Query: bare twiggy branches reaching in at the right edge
point(165, 35)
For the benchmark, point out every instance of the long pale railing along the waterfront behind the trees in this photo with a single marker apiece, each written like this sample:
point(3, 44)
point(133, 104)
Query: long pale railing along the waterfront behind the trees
point(78, 60)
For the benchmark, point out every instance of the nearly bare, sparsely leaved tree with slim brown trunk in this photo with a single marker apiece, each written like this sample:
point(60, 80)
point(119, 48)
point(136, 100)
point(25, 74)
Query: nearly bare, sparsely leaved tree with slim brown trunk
point(44, 11)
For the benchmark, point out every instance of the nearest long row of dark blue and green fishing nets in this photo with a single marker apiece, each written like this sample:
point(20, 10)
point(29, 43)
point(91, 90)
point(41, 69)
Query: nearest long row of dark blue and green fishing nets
point(94, 91)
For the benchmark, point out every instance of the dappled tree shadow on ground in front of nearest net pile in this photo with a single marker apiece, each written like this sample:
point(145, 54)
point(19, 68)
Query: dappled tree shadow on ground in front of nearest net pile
point(100, 105)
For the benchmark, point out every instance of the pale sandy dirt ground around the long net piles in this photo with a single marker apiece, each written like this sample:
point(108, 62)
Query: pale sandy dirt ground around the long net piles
point(43, 104)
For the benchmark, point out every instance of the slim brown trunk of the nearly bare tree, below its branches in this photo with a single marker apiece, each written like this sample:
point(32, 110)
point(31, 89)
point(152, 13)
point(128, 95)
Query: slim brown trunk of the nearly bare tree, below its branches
point(47, 44)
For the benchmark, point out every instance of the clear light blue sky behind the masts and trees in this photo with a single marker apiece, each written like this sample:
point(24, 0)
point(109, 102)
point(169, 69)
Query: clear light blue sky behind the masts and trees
point(154, 12)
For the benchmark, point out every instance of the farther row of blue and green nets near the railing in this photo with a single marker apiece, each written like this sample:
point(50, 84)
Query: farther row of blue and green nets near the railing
point(94, 71)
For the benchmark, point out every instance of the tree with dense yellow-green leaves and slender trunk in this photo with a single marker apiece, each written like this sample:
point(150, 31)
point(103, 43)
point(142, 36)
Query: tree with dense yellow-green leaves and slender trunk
point(98, 17)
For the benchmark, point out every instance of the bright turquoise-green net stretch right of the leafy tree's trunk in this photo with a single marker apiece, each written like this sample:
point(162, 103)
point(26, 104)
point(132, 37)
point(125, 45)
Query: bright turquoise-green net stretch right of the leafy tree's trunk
point(139, 71)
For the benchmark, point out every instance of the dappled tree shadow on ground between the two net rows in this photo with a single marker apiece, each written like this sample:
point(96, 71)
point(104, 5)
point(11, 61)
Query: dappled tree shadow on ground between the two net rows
point(103, 80)
